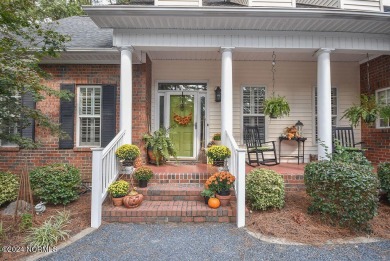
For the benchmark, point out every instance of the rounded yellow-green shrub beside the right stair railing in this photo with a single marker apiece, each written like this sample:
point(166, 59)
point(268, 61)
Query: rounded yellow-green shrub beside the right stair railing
point(264, 189)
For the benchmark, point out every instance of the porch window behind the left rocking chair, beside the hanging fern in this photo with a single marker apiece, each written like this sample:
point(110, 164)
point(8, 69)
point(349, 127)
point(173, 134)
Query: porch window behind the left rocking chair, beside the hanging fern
point(253, 108)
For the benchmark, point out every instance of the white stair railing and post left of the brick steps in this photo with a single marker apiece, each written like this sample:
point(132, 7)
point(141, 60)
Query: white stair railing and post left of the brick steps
point(105, 169)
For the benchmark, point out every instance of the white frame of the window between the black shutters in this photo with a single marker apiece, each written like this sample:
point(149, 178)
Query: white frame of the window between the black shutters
point(78, 128)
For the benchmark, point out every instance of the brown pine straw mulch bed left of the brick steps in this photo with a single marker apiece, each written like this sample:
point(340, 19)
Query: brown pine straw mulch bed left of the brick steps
point(80, 211)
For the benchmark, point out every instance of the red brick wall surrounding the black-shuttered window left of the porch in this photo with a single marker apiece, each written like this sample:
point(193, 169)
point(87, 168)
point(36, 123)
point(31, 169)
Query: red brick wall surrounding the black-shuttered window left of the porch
point(15, 160)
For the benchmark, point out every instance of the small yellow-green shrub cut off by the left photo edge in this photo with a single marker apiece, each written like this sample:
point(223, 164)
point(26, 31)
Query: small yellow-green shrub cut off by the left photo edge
point(9, 186)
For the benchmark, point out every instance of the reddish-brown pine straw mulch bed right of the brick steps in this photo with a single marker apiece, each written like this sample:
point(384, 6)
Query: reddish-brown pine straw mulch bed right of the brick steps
point(295, 224)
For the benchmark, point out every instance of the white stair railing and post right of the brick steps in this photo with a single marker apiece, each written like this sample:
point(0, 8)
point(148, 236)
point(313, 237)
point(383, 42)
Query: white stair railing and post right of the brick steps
point(237, 168)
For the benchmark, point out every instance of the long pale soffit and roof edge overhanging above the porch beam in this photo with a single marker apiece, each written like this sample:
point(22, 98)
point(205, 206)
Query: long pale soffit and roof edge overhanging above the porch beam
point(240, 18)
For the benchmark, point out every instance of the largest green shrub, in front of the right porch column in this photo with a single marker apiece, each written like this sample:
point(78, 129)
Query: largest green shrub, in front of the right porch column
point(342, 192)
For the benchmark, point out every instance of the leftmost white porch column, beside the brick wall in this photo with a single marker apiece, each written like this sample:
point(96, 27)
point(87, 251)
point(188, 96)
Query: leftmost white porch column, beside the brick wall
point(126, 94)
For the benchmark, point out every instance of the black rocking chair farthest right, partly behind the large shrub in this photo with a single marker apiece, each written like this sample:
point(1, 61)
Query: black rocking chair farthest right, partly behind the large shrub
point(344, 137)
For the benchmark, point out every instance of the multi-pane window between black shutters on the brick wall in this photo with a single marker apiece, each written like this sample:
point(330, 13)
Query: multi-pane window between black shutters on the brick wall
point(89, 115)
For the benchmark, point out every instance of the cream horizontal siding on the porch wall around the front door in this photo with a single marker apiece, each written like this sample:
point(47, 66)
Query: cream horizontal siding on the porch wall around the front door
point(295, 80)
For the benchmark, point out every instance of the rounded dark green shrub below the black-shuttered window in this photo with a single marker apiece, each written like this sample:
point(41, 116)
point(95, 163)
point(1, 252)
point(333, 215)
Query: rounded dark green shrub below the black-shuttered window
point(56, 183)
